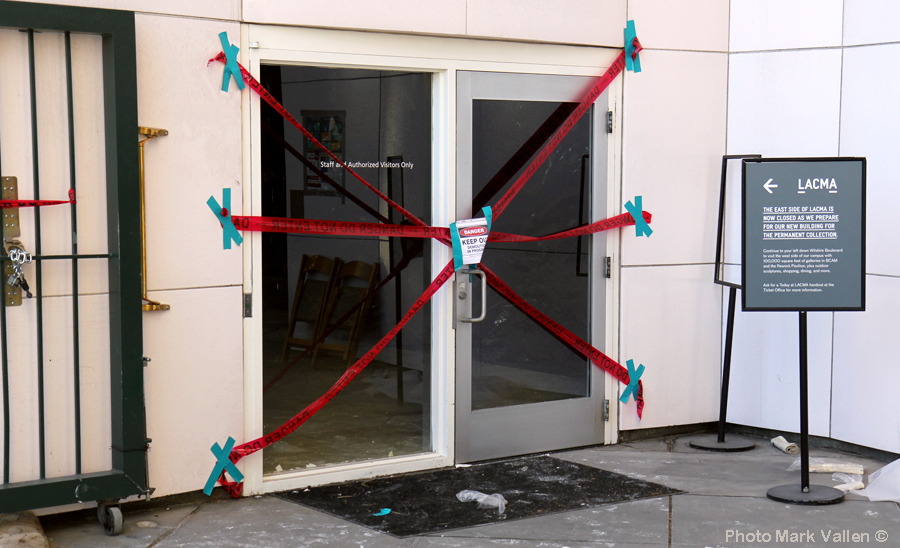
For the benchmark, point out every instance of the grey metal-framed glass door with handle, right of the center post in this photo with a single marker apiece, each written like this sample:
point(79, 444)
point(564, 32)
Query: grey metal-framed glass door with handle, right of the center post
point(519, 389)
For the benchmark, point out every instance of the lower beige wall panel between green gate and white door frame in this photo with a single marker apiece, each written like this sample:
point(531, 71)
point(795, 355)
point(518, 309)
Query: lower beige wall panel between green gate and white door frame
point(194, 384)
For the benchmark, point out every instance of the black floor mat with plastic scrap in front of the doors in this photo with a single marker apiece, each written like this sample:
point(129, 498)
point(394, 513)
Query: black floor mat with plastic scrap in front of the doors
point(426, 502)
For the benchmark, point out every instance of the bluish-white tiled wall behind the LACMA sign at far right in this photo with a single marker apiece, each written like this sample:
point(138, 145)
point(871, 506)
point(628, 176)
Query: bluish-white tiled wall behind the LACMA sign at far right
point(816, 78)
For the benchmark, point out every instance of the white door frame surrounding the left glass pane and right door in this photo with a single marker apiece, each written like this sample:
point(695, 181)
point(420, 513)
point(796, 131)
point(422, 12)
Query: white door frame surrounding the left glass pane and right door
point(442, 57)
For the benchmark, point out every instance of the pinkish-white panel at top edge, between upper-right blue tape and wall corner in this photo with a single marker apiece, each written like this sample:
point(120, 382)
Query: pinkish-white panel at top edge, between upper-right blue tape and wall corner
point(673, 24)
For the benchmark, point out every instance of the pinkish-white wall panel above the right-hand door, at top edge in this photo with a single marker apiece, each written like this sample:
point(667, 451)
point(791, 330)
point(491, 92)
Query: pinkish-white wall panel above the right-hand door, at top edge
point(563, 21)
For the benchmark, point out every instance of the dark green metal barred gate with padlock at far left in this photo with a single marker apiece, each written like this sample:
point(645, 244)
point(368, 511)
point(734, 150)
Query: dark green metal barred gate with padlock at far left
point(72, 370)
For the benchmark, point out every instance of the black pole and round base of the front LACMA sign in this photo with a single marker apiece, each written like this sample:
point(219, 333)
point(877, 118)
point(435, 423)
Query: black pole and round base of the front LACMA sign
point(805, 493)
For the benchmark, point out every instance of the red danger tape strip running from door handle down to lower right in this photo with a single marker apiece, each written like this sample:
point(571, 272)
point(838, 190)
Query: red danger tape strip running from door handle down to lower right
point(565, 336)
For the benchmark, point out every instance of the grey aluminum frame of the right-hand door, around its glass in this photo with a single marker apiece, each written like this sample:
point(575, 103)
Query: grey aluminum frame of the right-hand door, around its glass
point(536, 427)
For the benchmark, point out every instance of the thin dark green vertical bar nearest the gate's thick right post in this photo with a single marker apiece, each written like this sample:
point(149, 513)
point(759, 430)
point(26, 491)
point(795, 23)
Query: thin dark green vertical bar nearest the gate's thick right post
point(75, 334)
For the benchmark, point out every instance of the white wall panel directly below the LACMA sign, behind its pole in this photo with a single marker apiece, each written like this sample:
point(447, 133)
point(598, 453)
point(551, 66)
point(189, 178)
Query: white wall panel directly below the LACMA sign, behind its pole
point(765, 369)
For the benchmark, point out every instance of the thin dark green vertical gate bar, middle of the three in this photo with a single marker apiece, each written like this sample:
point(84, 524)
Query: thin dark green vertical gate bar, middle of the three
point(37, 251)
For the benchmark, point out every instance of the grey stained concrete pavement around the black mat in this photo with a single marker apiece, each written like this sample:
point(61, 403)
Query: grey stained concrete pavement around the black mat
point(725, 503)
